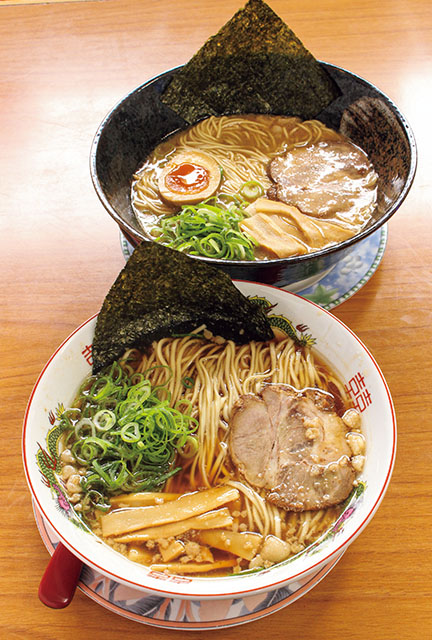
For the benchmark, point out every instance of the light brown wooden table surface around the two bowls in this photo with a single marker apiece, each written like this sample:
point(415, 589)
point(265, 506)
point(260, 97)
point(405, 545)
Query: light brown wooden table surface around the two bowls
point(62, 67)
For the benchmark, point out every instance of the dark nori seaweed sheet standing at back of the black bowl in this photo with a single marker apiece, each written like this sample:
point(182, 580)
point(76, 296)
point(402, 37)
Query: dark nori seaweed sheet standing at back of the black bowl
point(254, 64)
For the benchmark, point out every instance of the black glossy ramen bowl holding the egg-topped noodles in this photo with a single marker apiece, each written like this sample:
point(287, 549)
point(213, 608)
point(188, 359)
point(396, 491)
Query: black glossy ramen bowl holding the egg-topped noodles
point(136, 125)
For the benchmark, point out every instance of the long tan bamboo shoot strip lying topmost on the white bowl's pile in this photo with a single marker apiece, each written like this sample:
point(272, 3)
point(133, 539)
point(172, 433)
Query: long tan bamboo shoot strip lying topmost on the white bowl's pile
point(193, 504)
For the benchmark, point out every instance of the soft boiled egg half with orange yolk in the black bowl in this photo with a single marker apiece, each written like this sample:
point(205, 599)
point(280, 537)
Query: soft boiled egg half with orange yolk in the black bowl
point(189, 177)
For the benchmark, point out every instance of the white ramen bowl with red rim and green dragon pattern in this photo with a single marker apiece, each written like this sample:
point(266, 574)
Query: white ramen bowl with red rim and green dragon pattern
point(337, 346)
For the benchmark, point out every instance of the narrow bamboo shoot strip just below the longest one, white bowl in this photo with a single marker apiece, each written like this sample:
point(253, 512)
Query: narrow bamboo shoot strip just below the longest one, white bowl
point(211, 520)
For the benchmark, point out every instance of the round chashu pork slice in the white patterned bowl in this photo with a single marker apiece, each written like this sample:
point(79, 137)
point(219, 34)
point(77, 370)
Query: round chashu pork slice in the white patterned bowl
point(292, 444)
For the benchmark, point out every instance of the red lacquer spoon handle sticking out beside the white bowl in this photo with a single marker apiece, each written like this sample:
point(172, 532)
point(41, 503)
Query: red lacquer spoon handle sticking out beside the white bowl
point(60, 579)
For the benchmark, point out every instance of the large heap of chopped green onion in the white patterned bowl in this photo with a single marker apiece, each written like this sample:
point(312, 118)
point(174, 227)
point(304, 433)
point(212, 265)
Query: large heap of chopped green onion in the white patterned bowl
point(130, 446)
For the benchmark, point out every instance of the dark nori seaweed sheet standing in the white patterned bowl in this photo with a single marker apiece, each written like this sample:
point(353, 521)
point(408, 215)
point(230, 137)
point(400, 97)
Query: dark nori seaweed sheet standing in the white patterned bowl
point(162, 292)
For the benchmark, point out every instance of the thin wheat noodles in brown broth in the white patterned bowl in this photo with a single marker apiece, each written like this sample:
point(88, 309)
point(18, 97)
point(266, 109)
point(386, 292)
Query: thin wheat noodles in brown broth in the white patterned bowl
point(221, 373)
